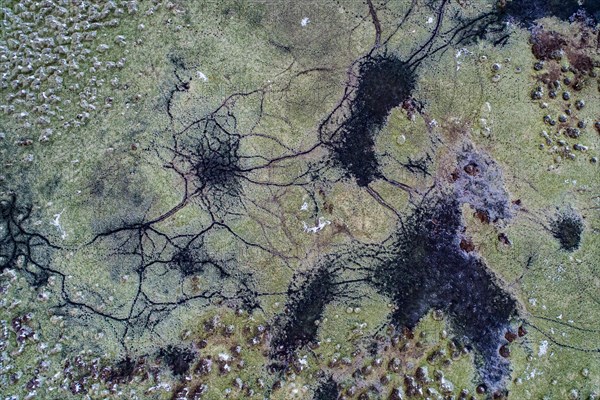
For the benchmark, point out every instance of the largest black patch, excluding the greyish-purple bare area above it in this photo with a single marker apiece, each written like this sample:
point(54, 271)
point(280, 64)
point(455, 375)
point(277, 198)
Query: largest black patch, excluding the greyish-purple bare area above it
point(429, 270)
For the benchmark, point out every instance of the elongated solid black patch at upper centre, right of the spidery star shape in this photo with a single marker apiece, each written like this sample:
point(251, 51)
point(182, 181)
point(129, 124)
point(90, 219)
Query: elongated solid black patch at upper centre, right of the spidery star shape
point(384, 82)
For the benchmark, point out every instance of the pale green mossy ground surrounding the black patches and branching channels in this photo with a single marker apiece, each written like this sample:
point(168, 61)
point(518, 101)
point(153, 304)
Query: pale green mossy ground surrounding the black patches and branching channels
point(109, 171)
